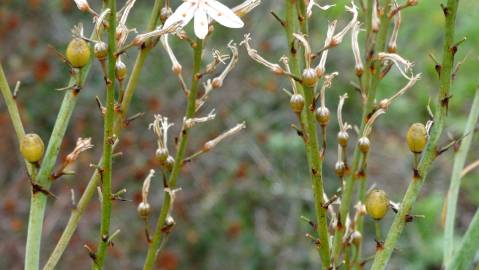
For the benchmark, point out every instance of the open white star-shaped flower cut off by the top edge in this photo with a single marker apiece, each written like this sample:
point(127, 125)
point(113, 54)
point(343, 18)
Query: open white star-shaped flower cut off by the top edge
point(201, 10)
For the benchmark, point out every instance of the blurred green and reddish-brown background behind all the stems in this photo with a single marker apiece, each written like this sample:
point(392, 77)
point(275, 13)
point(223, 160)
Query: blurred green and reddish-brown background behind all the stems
point(240, 204)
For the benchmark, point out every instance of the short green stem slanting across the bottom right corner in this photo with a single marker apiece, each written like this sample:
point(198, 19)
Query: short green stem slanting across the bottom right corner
point(465, 253)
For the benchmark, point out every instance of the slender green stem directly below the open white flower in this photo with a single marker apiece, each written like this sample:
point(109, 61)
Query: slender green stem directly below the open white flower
point(167, 200)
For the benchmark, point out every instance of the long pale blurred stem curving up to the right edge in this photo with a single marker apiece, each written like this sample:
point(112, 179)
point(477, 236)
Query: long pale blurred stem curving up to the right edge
point(453, 193)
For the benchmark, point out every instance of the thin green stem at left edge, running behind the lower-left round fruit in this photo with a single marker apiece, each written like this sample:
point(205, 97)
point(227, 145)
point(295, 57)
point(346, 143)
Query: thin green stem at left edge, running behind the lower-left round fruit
point(14, 114)
